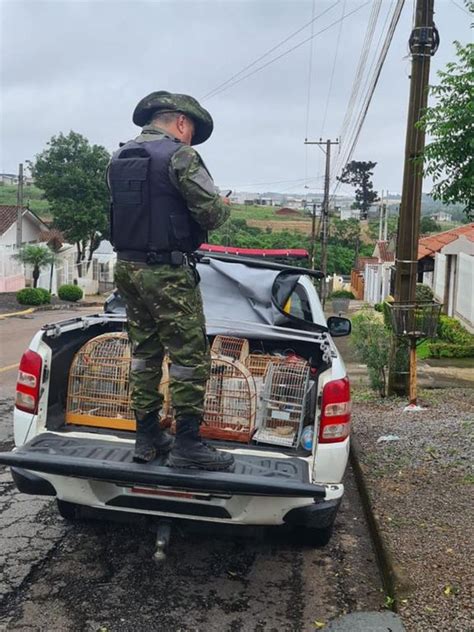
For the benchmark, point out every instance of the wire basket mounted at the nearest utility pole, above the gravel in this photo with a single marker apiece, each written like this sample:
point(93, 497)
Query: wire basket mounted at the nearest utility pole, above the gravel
point(415, 320)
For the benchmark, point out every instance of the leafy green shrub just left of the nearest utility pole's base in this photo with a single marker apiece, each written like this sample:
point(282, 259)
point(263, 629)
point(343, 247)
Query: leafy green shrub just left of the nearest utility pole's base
point(371, 342)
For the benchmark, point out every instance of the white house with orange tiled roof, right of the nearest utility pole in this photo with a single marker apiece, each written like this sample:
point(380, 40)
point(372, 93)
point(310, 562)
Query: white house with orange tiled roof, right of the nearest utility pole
point(446, 264)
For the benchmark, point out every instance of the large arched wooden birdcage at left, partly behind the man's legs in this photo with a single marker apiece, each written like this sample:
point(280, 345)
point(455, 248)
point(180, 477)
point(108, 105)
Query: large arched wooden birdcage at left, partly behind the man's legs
point(99, 384)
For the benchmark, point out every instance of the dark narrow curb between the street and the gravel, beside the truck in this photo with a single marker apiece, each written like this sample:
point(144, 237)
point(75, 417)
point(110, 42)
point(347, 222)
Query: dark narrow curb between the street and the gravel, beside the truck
point(395, 584)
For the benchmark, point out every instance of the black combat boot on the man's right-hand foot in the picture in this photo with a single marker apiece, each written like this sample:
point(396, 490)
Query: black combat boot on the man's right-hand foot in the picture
point(190, 451)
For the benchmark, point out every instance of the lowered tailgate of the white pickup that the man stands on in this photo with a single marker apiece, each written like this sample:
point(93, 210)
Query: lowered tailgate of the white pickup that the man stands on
point(99, 459)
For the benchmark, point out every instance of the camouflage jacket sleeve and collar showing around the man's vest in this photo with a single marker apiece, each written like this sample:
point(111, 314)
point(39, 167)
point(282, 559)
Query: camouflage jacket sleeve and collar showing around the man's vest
point(190, 176)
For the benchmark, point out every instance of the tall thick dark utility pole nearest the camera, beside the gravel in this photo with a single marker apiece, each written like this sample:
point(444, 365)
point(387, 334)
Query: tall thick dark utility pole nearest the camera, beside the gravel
point(423, 44)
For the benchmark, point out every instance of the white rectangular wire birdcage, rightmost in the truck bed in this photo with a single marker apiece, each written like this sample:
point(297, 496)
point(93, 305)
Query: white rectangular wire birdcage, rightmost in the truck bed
point(283, 403)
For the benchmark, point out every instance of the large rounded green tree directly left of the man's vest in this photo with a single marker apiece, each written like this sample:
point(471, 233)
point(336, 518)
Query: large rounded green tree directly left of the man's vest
point(71, 173)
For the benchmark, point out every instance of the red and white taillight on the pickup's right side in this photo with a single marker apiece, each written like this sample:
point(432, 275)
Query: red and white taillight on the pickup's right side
point(335, 411)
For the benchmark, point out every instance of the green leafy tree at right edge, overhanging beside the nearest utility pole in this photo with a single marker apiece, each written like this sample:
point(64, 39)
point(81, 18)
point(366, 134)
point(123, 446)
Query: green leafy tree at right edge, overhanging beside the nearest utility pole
point(450, 123)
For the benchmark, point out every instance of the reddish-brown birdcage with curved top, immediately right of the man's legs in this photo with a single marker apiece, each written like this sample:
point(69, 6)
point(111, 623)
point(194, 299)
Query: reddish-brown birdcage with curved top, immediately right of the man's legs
point(230, 402)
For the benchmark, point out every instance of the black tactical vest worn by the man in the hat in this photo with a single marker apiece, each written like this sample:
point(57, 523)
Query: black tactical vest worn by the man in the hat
point(148, 214)
